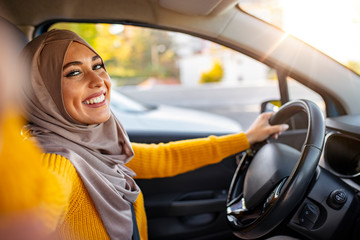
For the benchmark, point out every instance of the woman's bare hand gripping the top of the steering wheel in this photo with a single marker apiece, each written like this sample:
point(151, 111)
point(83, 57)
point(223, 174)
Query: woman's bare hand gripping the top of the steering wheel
point(260, 129)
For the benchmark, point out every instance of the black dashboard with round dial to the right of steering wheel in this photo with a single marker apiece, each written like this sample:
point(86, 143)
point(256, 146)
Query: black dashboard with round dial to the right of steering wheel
point(334, 196)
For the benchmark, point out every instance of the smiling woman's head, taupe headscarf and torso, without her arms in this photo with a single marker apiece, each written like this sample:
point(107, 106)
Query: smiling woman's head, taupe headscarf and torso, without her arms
point(66, 127)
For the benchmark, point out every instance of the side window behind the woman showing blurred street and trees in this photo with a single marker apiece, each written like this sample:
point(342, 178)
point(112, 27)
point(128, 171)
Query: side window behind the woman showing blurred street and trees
point(158, 68)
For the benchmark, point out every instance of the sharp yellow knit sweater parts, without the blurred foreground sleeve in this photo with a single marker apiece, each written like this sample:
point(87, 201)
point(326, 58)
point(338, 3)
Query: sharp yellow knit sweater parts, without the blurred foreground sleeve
point(82, 221)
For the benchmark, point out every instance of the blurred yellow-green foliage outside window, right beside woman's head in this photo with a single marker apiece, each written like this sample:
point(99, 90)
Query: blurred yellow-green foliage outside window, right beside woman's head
point(136, 53)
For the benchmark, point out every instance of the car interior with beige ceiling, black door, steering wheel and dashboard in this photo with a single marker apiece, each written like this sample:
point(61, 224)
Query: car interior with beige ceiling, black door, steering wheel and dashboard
point(305, 184)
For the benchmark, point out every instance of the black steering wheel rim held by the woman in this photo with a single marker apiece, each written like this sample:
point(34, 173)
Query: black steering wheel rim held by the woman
point(290, 191)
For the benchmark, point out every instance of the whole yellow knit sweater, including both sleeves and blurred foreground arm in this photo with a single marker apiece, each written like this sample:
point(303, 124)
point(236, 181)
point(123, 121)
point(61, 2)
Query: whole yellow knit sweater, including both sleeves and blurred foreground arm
point(69, 207)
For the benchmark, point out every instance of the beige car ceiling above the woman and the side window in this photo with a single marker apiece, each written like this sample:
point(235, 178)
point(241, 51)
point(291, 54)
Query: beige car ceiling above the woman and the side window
point(200, 16)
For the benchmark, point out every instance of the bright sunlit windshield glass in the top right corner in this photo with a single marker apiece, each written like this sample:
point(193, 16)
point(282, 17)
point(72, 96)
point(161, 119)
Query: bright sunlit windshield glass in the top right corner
point(332, 26)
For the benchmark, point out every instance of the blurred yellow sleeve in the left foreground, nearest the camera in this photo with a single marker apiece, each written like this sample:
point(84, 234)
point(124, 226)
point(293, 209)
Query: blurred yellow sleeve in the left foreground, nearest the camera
point(26, 184)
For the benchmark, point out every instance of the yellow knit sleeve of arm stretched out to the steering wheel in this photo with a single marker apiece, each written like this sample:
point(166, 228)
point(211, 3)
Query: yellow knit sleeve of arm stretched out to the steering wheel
point(173, 158)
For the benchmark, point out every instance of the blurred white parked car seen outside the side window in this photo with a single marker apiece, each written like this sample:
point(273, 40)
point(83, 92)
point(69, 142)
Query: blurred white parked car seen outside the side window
point(138, 117)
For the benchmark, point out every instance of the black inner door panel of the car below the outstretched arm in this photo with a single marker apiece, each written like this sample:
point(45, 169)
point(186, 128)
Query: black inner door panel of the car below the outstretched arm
point(190, 205)
